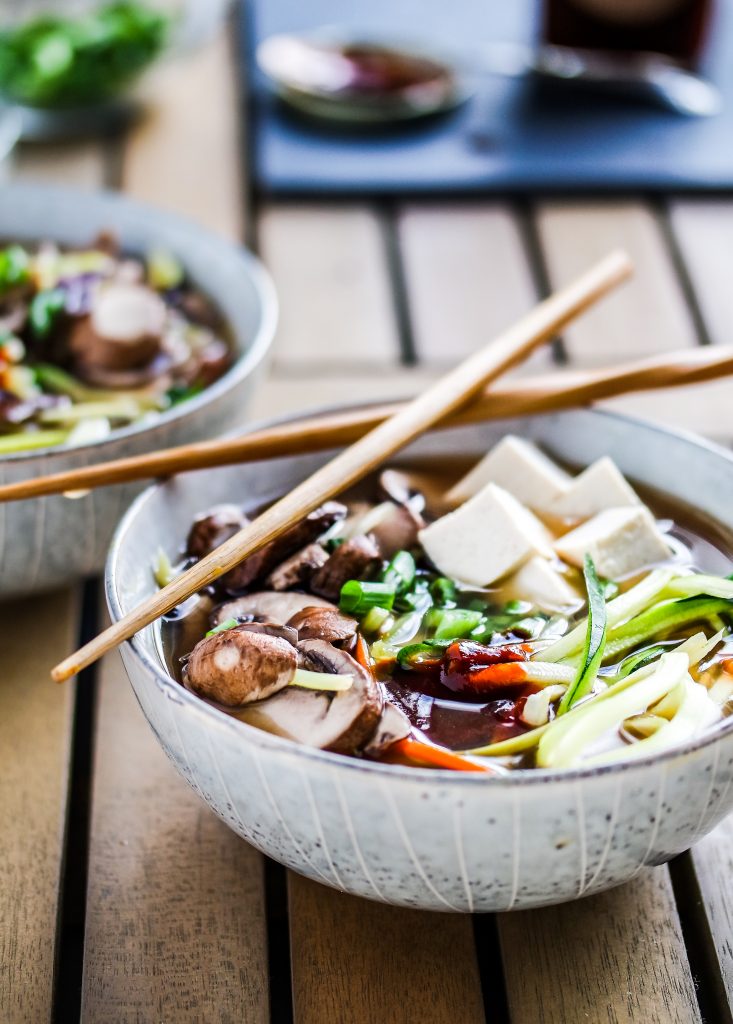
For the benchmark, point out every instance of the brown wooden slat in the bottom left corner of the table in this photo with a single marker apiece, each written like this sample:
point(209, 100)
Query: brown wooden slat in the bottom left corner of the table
point(35, 740)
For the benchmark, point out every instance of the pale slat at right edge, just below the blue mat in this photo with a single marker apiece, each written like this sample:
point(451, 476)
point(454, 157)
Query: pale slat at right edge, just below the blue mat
point(704, 231)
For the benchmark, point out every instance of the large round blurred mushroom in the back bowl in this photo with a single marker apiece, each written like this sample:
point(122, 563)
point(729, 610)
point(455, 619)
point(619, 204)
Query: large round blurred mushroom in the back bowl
point(123, 331)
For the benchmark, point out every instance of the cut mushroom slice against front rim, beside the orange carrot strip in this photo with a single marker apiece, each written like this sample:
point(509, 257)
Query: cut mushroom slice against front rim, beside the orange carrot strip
point(342, 723)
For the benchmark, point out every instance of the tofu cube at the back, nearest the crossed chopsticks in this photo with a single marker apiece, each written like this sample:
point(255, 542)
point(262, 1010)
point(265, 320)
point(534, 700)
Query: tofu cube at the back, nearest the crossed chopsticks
point(521, 468)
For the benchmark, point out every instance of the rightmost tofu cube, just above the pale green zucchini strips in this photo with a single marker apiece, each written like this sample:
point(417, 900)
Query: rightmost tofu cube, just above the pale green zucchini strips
point(620, 541)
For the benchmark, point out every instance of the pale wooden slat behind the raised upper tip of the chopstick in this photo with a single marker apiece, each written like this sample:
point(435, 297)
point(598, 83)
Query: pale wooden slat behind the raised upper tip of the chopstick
point(650, 315)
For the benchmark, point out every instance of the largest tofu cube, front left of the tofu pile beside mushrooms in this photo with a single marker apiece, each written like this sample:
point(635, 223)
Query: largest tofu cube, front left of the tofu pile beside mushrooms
point(488, 537)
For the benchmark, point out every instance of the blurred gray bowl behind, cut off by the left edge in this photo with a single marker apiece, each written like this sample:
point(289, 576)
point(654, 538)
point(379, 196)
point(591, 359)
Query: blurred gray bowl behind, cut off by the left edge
point(53, 541)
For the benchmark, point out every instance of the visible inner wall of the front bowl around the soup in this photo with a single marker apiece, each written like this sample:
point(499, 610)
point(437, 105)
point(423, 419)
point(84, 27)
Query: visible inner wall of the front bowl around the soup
point(684, 468)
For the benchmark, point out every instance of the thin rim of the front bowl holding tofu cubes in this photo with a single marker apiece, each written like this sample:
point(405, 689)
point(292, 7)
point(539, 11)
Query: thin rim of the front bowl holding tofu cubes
point(289, 748)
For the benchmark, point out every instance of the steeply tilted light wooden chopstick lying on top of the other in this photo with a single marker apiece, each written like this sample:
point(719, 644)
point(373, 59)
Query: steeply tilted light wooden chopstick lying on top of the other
point(446, 397)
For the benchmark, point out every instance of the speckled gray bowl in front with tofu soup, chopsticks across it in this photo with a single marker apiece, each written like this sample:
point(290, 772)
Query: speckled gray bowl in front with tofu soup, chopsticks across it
point(443, 841)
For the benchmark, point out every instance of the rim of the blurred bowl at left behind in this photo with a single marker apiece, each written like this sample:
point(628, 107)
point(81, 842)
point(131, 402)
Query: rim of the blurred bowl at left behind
point(247, 360)
